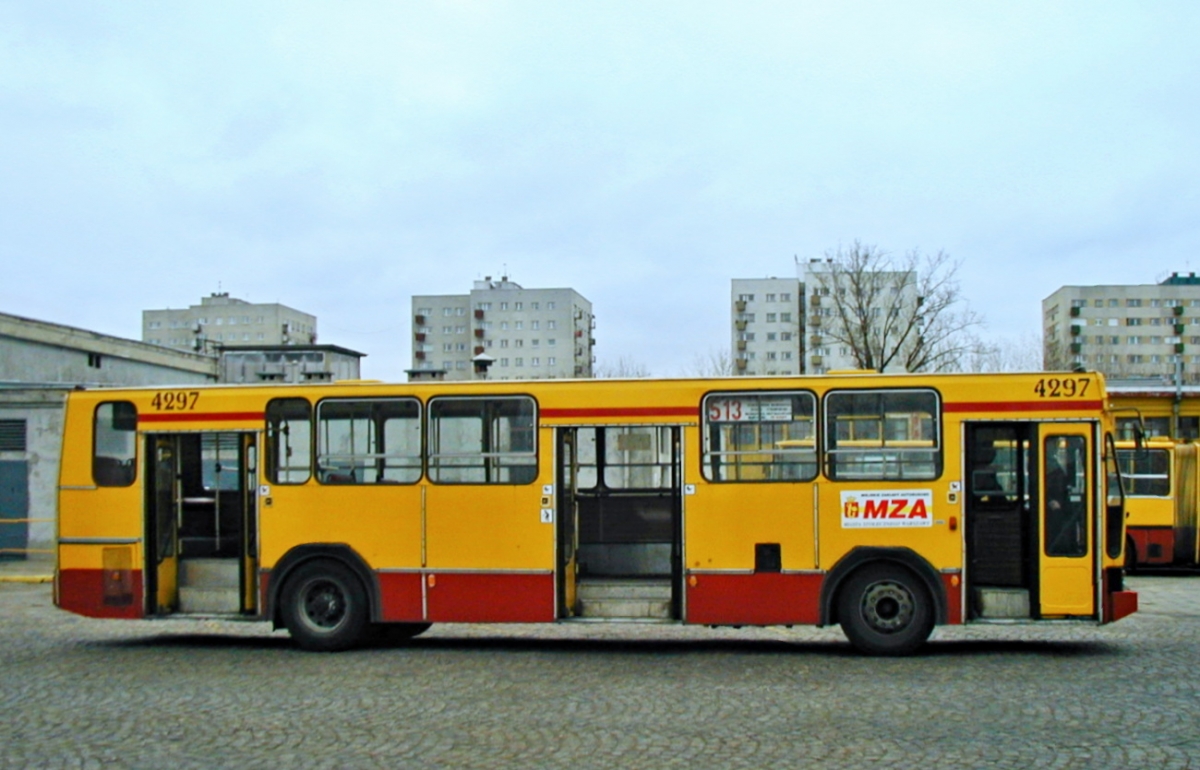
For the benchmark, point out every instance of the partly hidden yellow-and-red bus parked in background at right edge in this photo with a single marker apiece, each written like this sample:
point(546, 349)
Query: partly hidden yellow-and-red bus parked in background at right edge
point(1162, 504)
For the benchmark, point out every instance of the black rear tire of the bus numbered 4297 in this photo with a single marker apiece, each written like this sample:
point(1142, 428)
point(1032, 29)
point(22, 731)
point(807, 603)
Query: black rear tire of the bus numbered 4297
point(326, 607)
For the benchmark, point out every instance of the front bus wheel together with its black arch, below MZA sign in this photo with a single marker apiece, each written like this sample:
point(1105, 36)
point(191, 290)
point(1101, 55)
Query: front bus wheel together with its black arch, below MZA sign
point(887, 600)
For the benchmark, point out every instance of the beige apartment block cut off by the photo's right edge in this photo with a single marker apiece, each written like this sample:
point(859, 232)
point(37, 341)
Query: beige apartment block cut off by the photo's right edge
point(1126, 332)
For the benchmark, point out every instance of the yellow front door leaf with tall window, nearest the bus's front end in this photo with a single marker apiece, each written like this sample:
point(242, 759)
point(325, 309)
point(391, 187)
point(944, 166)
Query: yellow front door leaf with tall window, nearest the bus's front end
point(1067, 489)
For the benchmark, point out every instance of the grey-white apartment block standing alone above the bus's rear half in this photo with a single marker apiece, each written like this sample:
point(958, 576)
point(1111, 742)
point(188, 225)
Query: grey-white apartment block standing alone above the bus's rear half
point(514, 333)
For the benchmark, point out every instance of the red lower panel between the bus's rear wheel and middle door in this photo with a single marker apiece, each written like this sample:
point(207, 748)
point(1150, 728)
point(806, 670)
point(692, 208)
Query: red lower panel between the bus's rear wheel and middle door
point(489, 598)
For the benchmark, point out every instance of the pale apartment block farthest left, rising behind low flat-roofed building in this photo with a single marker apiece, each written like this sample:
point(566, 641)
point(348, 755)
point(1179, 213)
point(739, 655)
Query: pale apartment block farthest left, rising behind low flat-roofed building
point(221, 321)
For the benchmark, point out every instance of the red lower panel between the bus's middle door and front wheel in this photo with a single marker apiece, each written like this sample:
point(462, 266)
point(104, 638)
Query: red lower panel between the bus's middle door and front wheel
point(764, 599)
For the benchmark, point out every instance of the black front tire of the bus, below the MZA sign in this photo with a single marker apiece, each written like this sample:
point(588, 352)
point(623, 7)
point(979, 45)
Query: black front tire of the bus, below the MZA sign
point(885, 610)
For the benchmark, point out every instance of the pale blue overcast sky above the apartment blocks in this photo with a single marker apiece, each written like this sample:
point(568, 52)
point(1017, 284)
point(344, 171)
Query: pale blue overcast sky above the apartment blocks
point(340, 158)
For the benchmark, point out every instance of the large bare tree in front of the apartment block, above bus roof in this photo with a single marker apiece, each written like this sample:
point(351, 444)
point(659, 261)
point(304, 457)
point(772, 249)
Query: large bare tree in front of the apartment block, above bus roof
point(899, 314)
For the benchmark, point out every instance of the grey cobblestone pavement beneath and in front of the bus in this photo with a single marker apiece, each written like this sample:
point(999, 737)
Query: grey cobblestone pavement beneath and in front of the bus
point(77, 693)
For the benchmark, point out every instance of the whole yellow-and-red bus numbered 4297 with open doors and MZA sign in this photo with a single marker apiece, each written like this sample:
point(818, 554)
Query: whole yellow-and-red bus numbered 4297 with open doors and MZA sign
point(887, 504)
